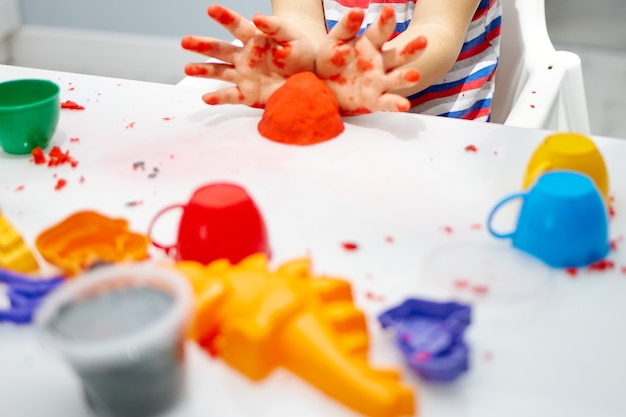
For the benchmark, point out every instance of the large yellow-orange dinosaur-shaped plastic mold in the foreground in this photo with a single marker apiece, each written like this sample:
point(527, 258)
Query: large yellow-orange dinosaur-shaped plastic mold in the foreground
point(256, 320)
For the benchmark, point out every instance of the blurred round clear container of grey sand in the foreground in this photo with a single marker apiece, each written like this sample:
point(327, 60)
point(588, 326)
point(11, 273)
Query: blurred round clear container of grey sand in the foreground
point(122, 329)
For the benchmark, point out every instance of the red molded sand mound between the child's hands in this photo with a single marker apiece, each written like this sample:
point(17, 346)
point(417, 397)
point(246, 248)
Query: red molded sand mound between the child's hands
point(303, 111)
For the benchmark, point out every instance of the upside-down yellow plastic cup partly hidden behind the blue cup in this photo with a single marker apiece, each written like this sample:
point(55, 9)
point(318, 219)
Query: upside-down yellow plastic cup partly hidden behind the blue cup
point(571, 152)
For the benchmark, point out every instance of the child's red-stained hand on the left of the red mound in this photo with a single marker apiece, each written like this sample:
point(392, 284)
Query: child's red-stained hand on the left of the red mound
point(271, 52)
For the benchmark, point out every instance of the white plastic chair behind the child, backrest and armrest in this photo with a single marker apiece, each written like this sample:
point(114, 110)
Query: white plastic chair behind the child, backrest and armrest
point(536, 86)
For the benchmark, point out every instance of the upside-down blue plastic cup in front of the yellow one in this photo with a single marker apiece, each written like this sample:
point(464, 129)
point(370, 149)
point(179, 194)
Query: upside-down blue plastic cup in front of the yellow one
point(563, 220)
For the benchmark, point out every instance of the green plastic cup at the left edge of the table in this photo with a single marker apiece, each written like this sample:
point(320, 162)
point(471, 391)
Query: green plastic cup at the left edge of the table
point(29, 113)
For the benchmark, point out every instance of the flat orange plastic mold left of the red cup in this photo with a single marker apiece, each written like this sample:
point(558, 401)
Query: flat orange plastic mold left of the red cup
point(86, 238)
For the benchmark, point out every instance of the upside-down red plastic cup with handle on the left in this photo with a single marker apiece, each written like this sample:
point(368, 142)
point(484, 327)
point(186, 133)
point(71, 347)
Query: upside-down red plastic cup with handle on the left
point(220, 221)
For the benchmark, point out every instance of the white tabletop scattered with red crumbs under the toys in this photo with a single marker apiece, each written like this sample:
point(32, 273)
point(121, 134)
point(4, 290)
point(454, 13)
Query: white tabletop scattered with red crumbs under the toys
point(543, 343)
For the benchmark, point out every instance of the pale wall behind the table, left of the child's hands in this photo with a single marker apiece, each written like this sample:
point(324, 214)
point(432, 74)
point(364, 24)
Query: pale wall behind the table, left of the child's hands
point(135, 39)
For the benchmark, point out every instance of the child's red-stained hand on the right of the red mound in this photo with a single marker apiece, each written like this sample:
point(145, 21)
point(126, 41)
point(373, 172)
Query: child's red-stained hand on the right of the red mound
point(359, 72)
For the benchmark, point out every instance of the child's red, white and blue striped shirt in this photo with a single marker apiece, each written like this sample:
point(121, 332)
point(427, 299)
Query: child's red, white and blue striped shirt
point(466, 91)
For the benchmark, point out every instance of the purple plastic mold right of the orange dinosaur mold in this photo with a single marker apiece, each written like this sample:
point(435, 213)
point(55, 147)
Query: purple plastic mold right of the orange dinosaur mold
point(430, 336)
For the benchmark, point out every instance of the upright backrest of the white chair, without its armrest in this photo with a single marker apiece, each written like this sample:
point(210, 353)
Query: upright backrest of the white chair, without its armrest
point(524, 41)
